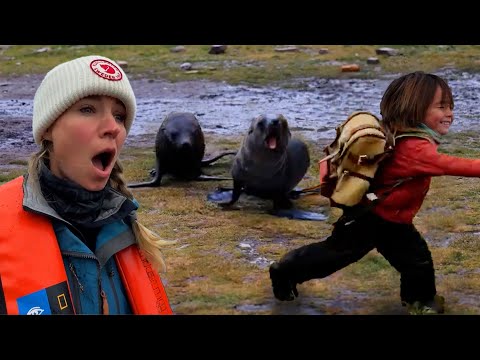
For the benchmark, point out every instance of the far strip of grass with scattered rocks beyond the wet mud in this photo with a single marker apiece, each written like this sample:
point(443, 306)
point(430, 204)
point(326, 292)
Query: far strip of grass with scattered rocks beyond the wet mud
point(252, 64)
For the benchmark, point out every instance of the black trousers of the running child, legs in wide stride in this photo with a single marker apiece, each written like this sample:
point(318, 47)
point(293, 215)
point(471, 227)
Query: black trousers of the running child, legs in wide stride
point(401, 244)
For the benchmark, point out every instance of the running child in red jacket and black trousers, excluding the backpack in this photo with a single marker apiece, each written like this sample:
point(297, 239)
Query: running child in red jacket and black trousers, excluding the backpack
point(420, 106)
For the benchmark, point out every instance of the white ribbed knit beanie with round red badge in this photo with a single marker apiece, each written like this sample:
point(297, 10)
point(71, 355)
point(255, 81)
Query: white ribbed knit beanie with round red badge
point(71, 81)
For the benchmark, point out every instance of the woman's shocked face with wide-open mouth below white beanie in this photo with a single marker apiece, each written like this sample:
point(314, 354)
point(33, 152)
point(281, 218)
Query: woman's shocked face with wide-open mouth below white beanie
point(87, 139)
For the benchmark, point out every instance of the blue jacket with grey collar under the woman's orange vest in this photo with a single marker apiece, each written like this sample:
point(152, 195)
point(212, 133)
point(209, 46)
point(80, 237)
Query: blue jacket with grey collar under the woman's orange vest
point(92, 276)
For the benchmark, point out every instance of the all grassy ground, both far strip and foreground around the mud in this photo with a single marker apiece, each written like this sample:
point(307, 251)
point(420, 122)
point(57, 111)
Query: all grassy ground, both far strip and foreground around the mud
point(219, 264)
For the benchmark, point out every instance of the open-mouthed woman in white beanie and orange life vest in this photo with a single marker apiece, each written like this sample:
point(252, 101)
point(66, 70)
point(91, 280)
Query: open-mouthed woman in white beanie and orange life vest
point(70, 242)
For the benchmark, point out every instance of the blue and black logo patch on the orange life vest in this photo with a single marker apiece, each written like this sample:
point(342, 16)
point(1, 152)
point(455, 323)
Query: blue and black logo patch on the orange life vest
point(53, 300)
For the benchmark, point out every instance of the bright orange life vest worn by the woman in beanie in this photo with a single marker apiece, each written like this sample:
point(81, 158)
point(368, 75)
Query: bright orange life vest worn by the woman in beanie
point(31, 264)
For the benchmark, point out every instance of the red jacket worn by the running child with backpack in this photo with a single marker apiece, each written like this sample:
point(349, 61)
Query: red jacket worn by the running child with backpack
point(418, 158)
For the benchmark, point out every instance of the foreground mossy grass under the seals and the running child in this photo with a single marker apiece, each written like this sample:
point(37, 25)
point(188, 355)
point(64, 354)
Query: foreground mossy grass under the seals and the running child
point(211, 268)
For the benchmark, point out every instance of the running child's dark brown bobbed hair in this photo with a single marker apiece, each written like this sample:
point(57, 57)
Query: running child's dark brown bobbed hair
point(406, 100)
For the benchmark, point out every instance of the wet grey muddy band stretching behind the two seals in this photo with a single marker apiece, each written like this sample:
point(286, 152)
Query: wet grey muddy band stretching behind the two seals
point(313, 106)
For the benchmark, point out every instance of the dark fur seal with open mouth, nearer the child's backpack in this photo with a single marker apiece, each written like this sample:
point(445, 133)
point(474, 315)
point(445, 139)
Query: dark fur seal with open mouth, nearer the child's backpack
point(269, 163)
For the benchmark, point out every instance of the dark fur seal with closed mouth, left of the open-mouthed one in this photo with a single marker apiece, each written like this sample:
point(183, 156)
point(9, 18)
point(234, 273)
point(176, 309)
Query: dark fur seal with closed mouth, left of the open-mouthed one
point(179, 150)
